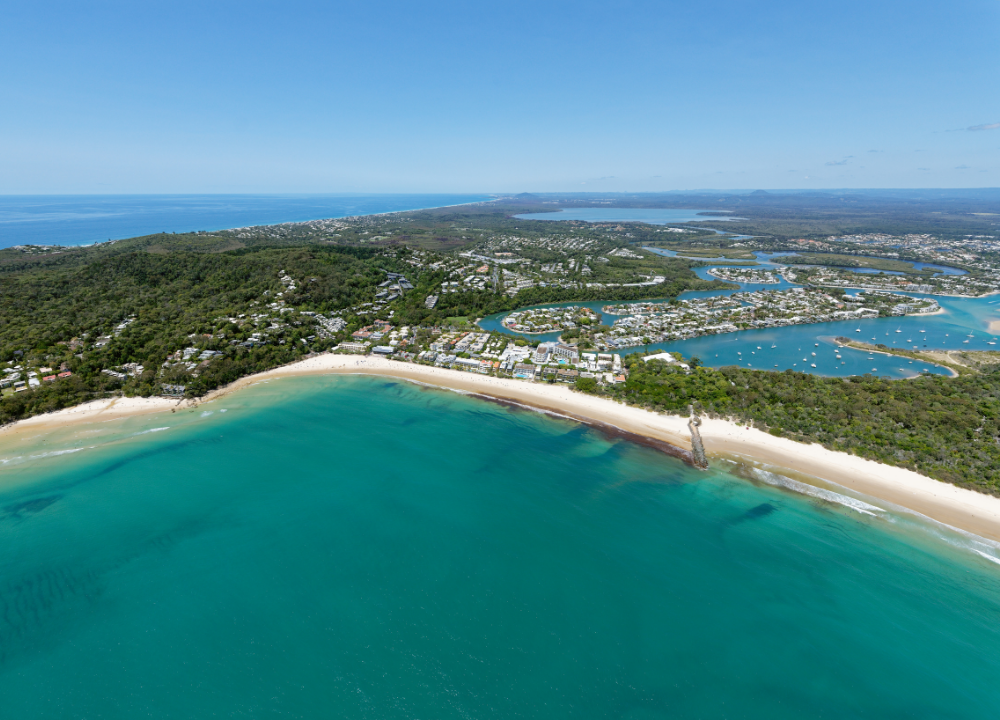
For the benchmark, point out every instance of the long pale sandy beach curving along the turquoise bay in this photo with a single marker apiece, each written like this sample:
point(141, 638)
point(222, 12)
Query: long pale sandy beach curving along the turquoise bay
point(964, 509)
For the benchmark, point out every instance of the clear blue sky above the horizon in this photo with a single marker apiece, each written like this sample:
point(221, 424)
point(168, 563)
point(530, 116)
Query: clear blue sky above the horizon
point(374, 96)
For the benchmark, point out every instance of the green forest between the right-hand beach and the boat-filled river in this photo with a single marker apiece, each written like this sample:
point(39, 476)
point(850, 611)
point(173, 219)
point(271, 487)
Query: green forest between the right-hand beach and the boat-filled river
point(946, 428)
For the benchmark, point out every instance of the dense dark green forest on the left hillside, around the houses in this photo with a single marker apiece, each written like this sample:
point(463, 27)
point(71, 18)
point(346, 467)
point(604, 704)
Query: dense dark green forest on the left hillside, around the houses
point(55, 314)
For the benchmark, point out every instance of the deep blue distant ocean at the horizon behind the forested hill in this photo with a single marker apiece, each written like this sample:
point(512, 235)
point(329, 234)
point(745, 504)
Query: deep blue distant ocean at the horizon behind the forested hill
point(84, 219)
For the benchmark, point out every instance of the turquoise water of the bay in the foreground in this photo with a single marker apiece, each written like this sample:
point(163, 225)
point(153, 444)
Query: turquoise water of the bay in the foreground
point(364, 548)
